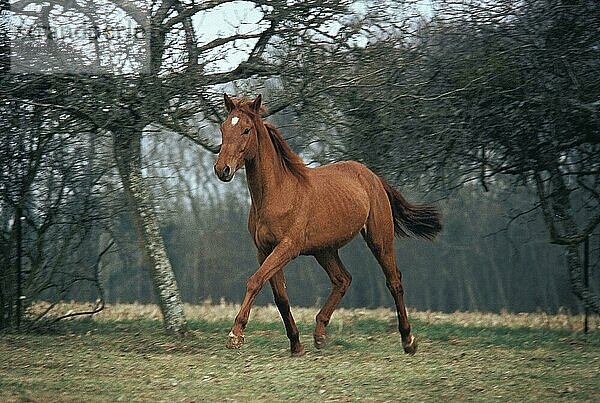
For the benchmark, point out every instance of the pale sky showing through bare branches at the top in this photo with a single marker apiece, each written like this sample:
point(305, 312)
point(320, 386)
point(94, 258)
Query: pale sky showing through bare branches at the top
point(241, 17)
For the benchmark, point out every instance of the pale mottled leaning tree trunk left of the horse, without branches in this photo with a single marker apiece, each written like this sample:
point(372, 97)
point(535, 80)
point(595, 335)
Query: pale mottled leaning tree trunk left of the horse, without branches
point(127, 148)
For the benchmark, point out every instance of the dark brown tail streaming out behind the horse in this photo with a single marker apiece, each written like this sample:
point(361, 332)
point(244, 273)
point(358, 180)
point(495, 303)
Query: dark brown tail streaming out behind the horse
point(412, 220)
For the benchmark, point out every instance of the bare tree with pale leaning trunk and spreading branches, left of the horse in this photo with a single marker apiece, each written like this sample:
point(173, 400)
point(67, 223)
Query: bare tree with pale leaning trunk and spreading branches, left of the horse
point(164, 74)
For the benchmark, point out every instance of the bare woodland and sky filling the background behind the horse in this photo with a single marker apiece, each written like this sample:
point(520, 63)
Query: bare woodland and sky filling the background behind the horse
point(489, 109)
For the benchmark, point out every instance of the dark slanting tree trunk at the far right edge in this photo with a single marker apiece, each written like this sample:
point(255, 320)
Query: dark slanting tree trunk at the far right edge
point(560, 221)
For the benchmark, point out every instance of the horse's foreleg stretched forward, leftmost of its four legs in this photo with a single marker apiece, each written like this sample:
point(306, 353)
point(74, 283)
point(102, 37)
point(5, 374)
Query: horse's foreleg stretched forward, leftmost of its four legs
point(281, 255)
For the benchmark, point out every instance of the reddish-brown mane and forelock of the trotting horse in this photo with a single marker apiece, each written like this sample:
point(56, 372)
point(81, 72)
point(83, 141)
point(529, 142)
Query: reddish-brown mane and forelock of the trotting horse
point(289, 159)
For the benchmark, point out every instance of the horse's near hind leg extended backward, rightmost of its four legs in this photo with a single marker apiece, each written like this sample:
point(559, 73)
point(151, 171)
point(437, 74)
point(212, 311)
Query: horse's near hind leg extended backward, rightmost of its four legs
point(380, 239)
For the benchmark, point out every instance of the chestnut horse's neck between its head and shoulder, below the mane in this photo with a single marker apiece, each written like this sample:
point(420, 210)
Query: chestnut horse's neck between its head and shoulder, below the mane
point(265, 174)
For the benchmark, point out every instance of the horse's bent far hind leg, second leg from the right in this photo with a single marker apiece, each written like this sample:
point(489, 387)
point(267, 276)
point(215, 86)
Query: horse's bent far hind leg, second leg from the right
point(340, 280)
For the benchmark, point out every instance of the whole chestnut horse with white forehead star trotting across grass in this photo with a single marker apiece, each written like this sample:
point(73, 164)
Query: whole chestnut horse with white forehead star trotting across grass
point(312, 211)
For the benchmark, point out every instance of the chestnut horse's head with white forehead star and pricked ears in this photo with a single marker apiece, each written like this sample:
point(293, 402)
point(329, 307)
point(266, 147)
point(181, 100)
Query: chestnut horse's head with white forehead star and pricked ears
point(239, 137)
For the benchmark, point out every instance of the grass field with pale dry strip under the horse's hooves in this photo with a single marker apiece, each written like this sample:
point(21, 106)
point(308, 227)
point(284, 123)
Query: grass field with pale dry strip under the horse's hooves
point(122, 354)
